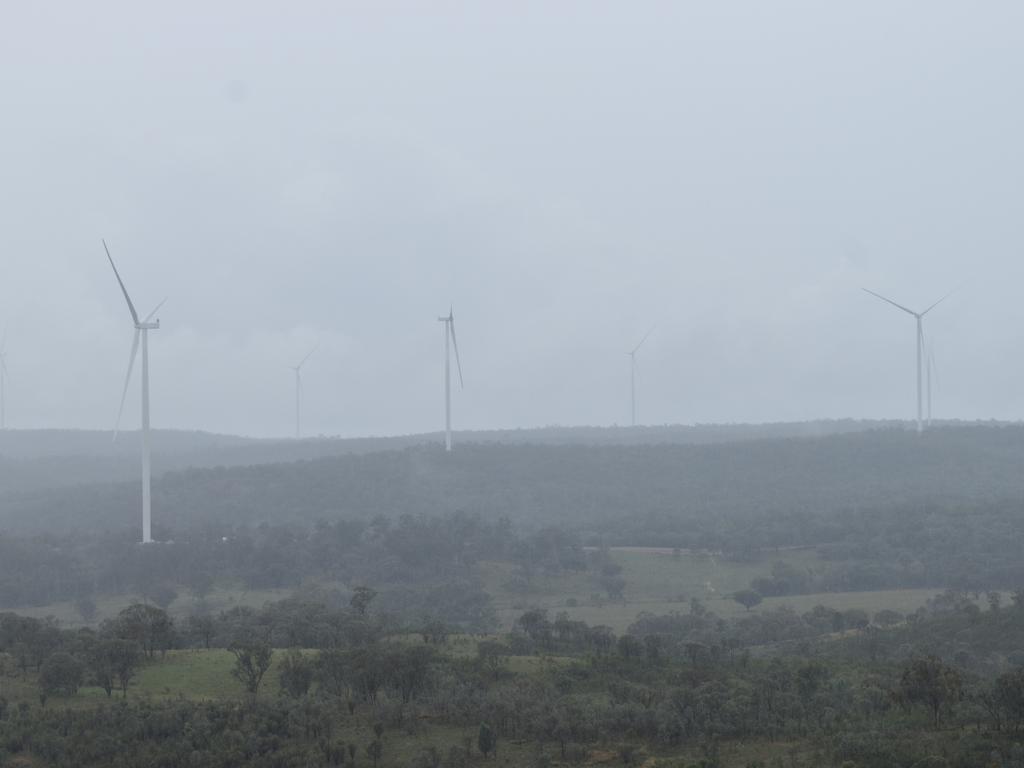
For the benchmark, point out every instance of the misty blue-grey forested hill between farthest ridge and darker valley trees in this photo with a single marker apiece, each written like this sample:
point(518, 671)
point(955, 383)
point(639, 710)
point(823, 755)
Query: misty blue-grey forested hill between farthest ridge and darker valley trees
point(779, 492)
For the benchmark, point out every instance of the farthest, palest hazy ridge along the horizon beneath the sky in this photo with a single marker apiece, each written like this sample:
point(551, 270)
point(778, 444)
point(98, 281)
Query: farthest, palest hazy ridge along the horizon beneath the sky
point(32, 460)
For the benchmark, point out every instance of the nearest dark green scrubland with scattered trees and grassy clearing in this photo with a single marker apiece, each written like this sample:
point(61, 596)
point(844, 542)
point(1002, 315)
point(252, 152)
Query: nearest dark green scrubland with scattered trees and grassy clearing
point(297, 685)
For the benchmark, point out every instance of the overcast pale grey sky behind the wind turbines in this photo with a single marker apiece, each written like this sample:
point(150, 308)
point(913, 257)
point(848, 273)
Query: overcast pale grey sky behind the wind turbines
point(568, 175)
